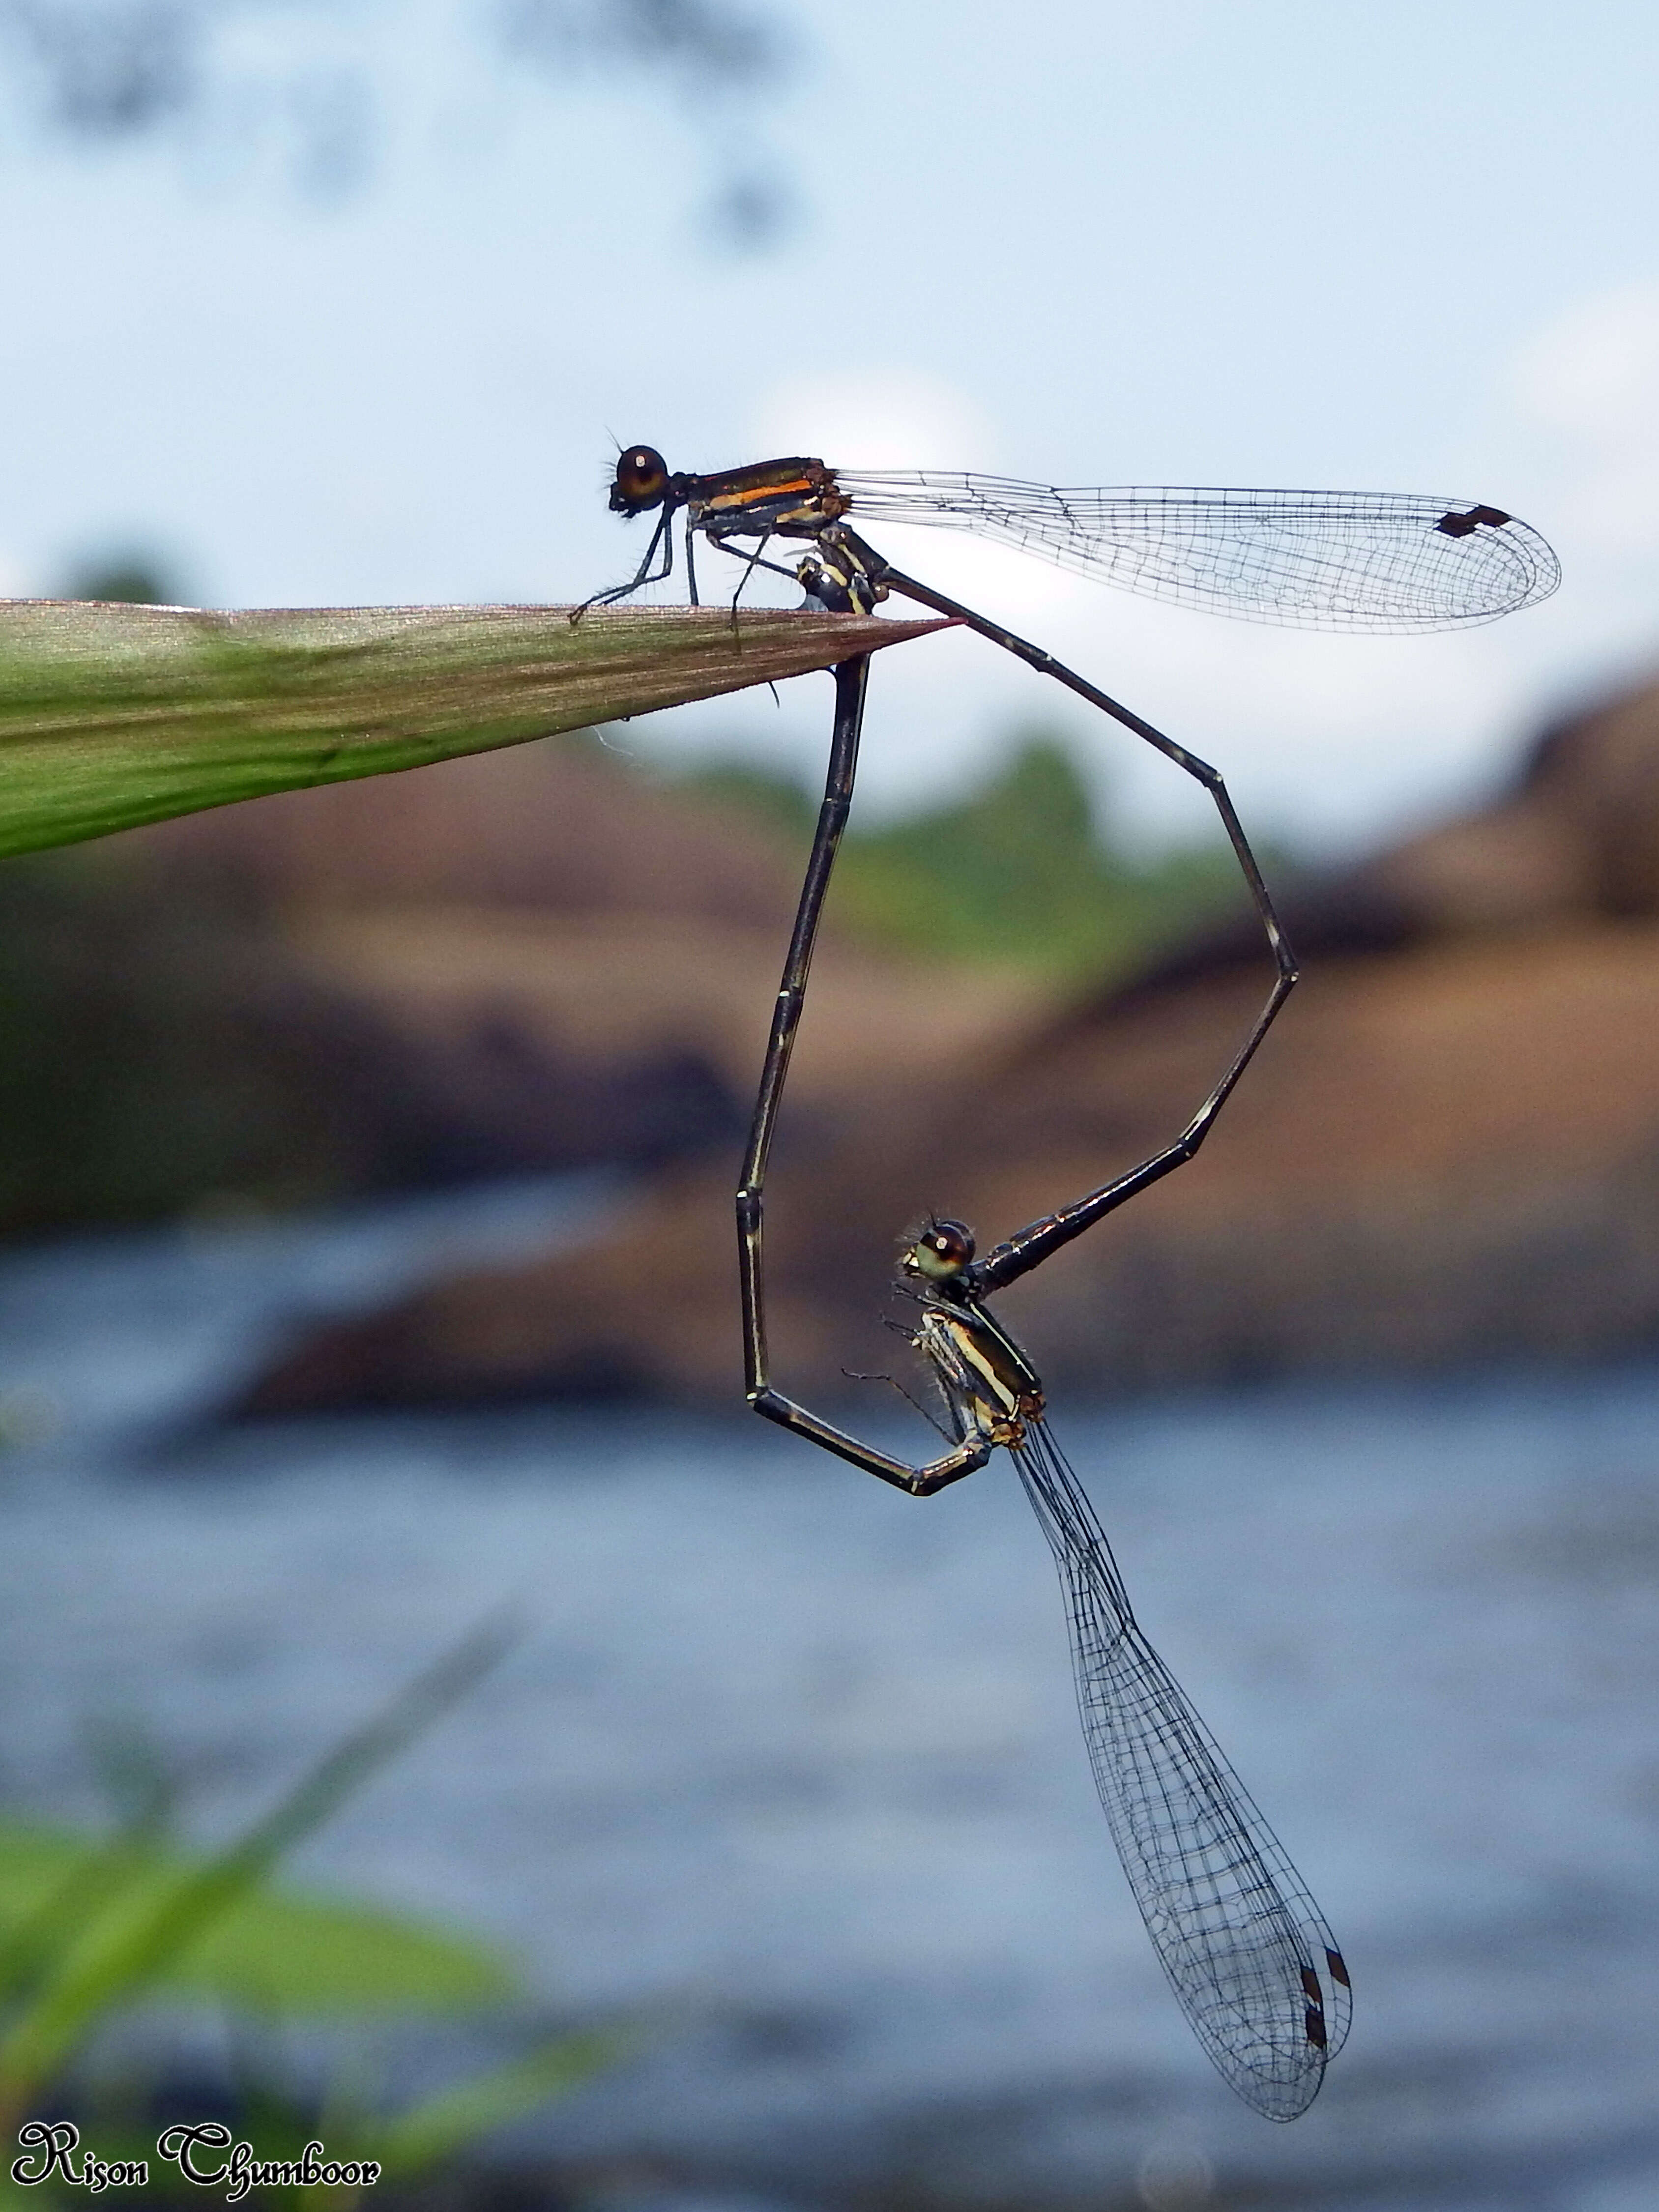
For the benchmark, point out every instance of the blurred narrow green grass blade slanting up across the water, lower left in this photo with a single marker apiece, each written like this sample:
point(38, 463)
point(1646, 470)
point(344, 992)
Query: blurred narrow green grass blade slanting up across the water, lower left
point(129, 1950)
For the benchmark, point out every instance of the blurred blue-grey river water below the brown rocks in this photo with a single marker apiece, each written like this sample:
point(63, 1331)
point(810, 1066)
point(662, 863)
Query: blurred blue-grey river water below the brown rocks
point(791, 1762)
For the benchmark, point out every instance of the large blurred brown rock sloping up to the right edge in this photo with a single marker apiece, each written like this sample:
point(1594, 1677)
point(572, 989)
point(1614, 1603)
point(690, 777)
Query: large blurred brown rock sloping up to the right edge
point(1448, 1151)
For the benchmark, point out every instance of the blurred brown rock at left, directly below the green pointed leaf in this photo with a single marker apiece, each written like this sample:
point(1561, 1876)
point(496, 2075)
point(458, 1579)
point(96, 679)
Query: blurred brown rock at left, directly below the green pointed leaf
point(512, 963)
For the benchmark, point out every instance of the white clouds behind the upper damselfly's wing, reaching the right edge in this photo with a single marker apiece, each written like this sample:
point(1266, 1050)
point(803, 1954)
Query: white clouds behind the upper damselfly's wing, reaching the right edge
point(1331, 740)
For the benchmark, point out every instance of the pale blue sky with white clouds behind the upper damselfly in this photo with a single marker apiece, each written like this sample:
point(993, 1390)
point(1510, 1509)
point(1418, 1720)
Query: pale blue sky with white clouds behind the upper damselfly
point(1397, 247)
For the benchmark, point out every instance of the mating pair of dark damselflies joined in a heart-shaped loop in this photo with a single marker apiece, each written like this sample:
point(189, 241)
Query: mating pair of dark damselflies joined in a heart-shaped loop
point(1242, 1941)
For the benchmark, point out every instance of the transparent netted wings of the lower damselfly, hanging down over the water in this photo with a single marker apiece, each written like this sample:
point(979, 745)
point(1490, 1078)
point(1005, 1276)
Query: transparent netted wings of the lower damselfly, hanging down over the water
point(1233, 1923)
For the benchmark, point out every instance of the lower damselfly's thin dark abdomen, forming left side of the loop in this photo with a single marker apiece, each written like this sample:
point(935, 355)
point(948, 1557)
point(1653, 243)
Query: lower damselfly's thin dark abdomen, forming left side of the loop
point(751, 1193)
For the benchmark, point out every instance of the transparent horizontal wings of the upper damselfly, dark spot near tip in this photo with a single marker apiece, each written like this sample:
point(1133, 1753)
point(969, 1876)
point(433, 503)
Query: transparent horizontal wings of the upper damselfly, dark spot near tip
point(1326, 561)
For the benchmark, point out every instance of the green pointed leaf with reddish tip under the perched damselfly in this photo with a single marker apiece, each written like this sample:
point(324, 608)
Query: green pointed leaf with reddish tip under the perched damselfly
point(118, 716)
